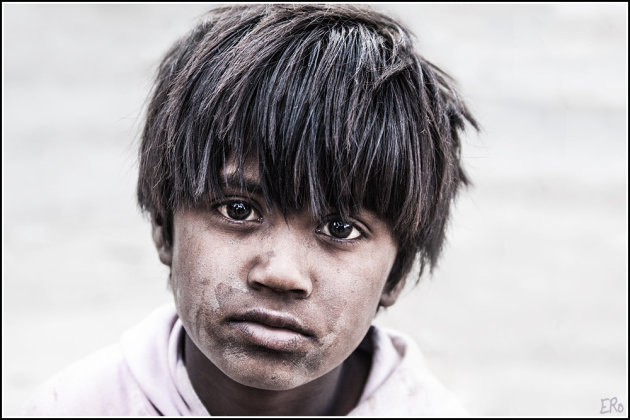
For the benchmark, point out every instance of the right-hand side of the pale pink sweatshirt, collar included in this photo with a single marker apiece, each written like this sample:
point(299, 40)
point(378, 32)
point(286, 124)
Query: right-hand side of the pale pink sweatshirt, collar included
point(401, 383)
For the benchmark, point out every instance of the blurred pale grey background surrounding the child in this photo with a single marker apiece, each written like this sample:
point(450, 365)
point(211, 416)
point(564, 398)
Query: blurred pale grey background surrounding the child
point(527, 313)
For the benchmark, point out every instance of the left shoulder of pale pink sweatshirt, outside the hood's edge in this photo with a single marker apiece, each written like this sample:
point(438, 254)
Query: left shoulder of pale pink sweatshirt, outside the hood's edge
point(100, 384)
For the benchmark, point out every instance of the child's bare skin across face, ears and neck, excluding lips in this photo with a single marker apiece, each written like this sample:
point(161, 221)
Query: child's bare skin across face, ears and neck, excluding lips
point(288, 264)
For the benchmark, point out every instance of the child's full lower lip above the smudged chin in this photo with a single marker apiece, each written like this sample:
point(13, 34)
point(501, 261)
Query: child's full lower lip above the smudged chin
point(279, 339)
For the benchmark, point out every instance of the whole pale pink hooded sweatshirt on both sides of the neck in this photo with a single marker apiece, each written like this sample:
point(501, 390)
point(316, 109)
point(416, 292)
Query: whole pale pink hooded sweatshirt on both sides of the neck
point(144, 375)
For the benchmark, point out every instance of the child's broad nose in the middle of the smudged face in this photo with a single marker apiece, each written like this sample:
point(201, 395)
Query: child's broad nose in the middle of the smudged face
point(279, 267)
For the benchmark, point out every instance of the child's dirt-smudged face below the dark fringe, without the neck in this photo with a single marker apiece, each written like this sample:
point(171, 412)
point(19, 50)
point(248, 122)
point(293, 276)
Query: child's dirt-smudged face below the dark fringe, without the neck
point(275, 303)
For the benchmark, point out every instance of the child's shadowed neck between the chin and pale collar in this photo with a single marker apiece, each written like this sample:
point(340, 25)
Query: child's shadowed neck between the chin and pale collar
point(335, 393)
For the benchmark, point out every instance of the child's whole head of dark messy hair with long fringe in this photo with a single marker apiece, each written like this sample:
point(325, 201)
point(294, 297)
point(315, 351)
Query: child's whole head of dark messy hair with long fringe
point(334, 103)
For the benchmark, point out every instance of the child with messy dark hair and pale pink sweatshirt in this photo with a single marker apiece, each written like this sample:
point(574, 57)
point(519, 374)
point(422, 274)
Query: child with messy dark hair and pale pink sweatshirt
point(296, 160)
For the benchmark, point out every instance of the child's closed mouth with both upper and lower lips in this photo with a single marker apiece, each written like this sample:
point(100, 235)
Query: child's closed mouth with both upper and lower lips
point(273, 330)
